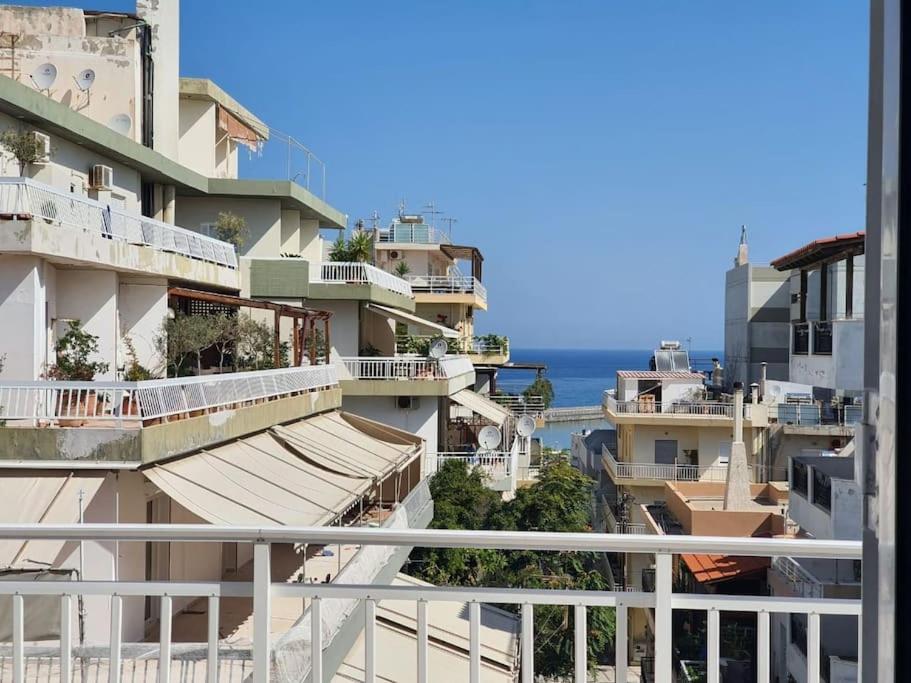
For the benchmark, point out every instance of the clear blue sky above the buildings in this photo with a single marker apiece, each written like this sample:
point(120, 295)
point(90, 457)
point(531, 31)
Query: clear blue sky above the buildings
point(603, 155)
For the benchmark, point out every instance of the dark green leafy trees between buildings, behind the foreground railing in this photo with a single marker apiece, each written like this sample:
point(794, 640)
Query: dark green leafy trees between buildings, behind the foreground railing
point(559, 501)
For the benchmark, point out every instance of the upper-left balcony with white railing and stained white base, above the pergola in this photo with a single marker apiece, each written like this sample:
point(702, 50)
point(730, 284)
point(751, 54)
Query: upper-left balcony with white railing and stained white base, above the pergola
point(114, 229)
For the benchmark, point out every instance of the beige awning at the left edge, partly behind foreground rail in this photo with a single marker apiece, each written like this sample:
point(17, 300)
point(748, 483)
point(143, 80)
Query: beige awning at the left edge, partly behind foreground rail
point(42, 497)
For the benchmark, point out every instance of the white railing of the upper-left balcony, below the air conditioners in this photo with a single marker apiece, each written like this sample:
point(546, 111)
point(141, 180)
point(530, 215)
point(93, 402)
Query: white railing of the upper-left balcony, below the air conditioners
point(27, 198)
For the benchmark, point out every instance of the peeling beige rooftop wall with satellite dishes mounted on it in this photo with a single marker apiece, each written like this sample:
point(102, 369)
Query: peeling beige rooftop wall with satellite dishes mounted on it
point(59, 36)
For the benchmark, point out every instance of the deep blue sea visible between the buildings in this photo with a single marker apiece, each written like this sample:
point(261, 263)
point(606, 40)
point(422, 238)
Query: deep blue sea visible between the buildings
point(579, 377)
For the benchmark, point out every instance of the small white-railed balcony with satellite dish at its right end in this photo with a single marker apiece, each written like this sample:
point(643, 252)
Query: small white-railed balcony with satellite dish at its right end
point(405, 375)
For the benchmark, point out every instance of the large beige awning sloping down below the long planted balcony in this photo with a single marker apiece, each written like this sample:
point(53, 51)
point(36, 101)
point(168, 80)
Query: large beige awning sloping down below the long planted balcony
point(303, 474)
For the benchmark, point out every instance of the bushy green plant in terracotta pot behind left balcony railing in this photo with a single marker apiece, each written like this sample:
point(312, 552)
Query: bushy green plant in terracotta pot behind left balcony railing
point(73, 350)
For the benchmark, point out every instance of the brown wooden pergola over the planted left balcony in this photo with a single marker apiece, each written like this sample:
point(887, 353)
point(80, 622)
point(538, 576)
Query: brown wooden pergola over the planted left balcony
point(301, 317)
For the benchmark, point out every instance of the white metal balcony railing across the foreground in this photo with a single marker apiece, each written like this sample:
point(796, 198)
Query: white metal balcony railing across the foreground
point(662, 601)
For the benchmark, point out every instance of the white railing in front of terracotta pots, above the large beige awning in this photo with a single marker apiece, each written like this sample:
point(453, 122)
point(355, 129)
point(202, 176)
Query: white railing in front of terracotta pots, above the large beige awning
point(69, 403)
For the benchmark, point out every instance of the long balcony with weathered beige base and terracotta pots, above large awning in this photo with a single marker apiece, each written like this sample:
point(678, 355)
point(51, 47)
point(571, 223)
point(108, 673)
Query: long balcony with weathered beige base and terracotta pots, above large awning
point(132, 421)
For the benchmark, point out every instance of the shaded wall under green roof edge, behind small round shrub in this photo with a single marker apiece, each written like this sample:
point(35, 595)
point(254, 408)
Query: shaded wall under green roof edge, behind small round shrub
point(263, 218)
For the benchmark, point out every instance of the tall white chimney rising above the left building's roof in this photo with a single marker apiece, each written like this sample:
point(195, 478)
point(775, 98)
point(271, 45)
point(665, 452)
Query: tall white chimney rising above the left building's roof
point(163, 18)
